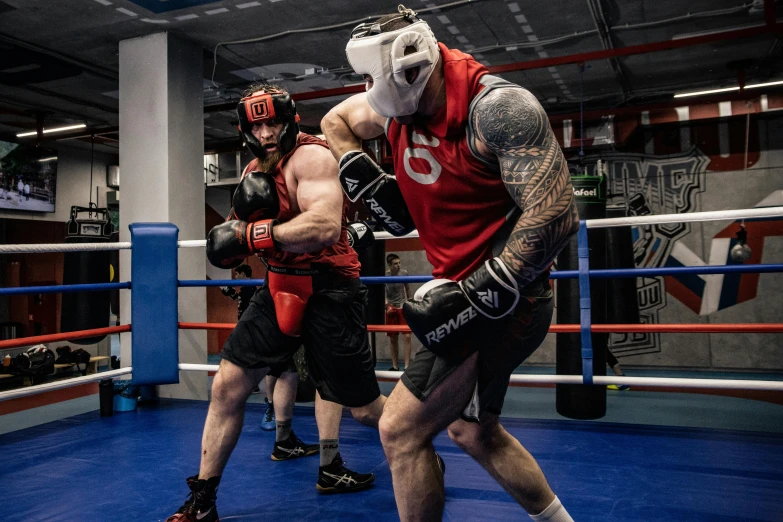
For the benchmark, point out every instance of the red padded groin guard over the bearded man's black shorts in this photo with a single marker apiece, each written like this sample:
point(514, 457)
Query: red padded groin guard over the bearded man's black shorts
point(290, 294)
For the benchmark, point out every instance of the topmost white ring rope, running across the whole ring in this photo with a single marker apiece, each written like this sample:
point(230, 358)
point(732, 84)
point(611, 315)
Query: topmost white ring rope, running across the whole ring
point(718, 215)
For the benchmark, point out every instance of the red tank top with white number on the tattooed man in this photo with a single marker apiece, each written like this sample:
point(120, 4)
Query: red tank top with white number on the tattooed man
point(457, 201)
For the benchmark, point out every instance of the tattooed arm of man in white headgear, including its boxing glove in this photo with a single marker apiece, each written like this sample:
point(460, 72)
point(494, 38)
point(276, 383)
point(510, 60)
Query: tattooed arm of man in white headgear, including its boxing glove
point(449, 317)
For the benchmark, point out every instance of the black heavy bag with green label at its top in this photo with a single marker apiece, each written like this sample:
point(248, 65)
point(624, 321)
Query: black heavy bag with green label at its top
point(578, 401)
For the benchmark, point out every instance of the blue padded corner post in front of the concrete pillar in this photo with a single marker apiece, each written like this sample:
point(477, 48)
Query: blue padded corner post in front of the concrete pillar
point(155, 334)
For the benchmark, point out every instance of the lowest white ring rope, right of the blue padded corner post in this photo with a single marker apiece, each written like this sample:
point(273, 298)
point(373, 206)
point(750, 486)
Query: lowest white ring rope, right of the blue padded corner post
point(725, 384)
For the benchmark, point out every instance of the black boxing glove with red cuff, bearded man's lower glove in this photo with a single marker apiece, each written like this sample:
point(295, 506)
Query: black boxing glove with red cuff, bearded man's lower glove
point(229, 243)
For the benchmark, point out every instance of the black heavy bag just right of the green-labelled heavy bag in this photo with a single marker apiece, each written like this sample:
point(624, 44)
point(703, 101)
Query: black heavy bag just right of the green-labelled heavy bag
point(624, 307)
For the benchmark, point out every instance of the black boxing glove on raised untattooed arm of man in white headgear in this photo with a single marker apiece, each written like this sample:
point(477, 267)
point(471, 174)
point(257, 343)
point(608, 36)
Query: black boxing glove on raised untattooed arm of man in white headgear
point(361, 177)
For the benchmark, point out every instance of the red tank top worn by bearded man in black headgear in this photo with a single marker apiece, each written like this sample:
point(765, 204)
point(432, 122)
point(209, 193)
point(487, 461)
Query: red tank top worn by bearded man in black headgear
point(340, 257)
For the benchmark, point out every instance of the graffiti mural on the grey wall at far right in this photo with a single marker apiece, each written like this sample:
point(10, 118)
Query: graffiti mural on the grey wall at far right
point(670, 185)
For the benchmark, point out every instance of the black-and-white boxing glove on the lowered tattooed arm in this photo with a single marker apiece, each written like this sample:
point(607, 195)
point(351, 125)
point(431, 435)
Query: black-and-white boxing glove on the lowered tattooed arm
point(447, 317)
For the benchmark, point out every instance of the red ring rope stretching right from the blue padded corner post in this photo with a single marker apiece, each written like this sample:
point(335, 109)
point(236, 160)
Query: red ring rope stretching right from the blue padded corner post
point(574, 328)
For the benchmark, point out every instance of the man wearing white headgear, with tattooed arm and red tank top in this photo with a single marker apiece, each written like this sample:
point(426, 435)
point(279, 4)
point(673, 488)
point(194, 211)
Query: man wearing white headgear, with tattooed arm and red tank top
point(479, 173)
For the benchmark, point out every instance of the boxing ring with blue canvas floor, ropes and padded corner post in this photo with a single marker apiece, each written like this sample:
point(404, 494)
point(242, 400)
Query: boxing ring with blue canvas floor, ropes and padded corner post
point(671, 459)
